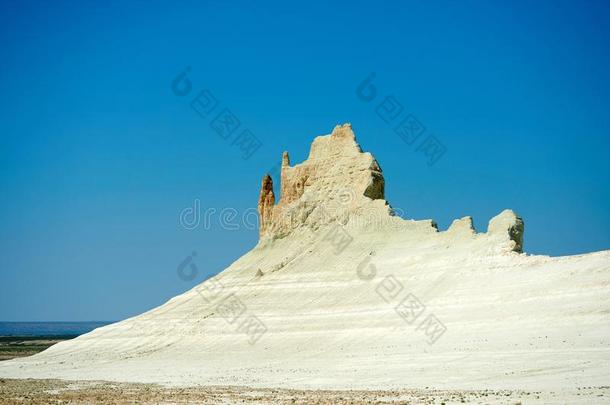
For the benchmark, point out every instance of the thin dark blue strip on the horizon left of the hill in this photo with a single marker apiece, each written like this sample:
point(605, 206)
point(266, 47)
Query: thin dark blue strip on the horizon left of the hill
point(48, 328)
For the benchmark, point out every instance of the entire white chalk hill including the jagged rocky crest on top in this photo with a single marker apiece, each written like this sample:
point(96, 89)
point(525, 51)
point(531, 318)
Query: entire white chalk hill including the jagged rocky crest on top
point(340, 293)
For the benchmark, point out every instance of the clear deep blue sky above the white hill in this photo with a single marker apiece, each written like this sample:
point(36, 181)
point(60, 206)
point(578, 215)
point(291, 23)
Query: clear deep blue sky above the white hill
point(98, 157)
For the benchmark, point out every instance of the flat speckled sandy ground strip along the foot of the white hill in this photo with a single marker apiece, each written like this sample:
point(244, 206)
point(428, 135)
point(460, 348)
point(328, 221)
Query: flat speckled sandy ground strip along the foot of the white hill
point(59, 391)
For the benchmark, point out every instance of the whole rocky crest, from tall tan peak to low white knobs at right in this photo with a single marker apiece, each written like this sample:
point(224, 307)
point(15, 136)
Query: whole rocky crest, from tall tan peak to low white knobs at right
point(339, 183)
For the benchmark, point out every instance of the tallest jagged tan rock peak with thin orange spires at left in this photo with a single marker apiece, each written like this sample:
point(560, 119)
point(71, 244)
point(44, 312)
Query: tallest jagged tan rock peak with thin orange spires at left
point(337, 174)
